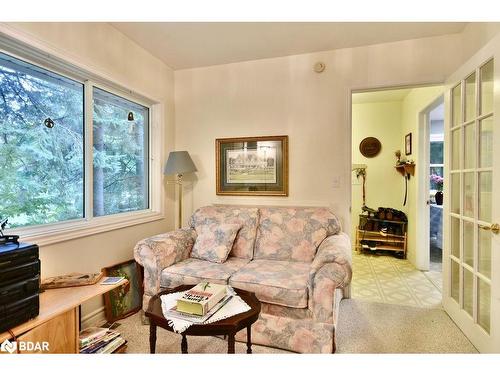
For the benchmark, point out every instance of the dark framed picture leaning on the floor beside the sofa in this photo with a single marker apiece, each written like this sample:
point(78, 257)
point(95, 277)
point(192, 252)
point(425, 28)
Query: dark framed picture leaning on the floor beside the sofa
point(124, 300)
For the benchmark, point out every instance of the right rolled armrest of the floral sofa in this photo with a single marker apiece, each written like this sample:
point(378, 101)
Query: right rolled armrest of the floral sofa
point(330, 270)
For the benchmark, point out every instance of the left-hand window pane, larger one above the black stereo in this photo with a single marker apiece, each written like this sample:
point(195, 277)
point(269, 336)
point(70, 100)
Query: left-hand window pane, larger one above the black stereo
point(41, 167)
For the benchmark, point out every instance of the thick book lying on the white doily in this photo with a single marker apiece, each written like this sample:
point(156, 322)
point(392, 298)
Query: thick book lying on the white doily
point(200, 299)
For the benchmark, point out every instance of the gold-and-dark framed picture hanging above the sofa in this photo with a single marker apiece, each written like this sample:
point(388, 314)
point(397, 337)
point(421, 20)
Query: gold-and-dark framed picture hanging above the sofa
point(252, 166)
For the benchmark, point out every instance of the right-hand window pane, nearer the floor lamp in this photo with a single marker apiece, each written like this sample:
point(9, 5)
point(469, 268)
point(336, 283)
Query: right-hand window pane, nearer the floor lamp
point(120, 154)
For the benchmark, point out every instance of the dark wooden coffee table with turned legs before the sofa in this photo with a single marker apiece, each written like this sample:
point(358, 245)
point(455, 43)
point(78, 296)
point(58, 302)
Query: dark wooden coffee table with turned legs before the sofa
point(228, 326)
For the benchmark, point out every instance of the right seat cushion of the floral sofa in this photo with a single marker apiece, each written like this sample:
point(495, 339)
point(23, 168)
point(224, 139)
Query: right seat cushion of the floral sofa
point(277, 282)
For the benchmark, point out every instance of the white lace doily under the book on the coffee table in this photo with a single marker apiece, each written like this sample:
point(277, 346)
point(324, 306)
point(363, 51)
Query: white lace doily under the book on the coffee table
point(233, 307)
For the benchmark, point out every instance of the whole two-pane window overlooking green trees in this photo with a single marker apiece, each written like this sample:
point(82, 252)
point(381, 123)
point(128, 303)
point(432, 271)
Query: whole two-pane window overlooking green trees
point(42, 141)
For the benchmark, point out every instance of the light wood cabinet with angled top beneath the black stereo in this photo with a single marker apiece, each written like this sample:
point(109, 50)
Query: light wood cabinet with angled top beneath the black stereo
point(58, 320)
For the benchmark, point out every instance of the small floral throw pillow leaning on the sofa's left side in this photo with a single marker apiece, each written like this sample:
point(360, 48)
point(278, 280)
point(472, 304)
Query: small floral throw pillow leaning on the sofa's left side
point(214, 242)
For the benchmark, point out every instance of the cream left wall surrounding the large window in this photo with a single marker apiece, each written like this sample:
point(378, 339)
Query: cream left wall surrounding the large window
point(102, 48)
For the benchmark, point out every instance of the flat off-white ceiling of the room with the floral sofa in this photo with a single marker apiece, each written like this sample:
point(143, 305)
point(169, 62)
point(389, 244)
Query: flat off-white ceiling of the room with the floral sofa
point(183, 45)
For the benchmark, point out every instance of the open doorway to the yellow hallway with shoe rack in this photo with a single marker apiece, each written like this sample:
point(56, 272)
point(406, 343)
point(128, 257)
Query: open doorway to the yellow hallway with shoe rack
point(384, 252)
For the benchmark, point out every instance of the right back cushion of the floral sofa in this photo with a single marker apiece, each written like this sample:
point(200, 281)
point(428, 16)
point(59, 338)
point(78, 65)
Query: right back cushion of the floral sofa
point(293, 233)
